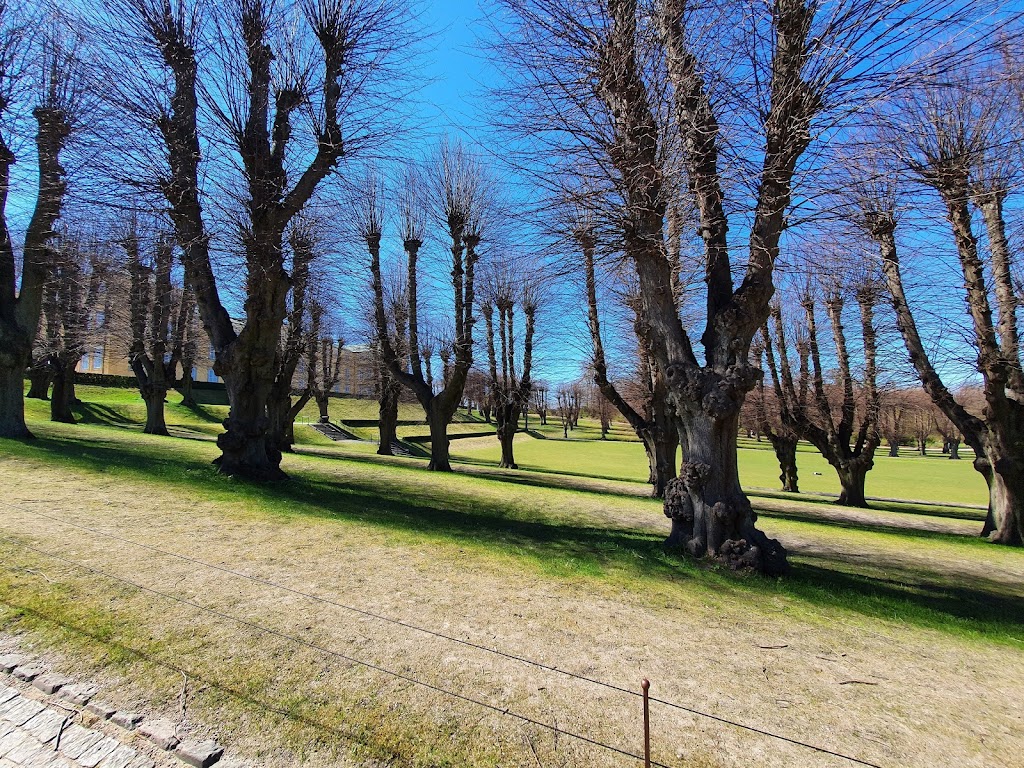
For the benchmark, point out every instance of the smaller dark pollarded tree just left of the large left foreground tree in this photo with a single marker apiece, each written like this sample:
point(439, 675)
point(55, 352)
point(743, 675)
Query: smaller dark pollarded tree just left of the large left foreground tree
point(160, 320)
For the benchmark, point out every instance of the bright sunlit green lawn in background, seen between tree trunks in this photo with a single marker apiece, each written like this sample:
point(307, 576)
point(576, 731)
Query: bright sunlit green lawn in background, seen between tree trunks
point(912, 478)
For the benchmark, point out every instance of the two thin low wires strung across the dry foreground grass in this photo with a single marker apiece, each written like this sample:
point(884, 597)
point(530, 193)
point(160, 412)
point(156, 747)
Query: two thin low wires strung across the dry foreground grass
point(409, 678)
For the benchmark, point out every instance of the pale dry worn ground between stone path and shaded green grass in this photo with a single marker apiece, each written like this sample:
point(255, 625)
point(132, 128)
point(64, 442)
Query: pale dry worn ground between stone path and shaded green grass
point(889, 695)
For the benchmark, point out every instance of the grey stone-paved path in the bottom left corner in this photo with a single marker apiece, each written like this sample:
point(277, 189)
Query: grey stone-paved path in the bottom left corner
point(29, 734)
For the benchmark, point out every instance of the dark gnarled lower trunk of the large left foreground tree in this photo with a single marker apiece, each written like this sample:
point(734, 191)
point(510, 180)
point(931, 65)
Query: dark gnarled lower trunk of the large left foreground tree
point(245, 448)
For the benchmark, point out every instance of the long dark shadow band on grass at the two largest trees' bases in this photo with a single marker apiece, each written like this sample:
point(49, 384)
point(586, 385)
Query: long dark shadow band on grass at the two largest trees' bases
point(566, 548)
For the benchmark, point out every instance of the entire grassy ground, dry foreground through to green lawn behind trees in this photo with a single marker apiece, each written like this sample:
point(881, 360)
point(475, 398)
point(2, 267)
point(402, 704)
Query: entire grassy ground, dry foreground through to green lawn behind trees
point(883, 643)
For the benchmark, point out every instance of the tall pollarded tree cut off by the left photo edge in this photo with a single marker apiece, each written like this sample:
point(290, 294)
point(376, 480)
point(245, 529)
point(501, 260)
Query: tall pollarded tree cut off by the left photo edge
point(29, 47)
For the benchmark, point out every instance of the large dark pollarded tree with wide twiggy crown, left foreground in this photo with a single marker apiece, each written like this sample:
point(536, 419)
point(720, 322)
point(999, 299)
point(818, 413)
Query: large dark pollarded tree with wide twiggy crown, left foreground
point(319, 65)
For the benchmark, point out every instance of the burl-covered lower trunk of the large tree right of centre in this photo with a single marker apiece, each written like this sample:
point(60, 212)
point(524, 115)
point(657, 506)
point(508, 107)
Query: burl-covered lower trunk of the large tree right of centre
point(709, 511)
